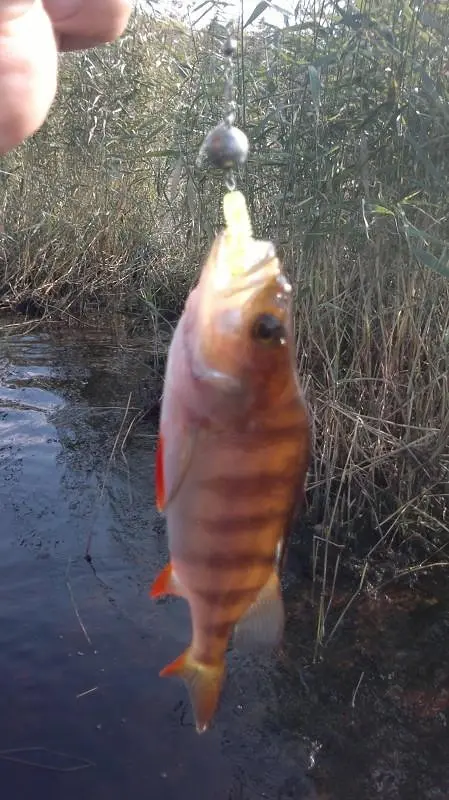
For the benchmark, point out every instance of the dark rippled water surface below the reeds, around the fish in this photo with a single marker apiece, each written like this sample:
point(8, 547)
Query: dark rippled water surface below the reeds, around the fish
point(84, 710)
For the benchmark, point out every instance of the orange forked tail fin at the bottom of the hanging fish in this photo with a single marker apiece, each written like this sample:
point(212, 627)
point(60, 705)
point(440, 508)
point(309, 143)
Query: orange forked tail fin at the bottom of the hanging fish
point(204, 683)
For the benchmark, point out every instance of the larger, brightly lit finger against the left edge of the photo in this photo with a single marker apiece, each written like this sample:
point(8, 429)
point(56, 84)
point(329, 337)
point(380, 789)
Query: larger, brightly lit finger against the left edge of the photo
point(28, 68)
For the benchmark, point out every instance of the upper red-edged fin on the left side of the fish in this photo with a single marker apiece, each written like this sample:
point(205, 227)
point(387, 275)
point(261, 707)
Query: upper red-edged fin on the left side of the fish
point(171, 466)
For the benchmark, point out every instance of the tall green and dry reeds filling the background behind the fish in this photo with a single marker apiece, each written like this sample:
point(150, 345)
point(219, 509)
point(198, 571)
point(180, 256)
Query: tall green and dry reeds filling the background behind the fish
point(347, 113)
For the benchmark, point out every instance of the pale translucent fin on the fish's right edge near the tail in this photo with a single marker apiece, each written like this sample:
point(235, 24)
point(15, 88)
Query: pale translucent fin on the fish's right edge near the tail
point(263, 623)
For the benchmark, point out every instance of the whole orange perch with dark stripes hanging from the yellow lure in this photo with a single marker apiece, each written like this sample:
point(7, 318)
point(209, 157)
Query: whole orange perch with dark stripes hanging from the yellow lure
point(232, 456)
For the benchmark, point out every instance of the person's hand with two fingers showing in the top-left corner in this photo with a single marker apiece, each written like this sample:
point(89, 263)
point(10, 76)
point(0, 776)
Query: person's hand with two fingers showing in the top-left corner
point(31, 34)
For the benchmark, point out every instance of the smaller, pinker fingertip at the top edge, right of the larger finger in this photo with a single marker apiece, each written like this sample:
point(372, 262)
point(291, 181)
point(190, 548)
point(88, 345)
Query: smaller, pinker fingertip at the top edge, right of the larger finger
point(85, 23)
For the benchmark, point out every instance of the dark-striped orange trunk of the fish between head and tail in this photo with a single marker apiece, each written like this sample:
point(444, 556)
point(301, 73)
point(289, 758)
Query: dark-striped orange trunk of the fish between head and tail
point(231, 512)
